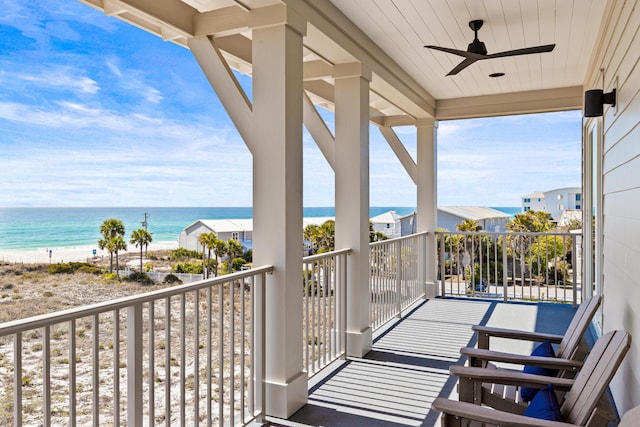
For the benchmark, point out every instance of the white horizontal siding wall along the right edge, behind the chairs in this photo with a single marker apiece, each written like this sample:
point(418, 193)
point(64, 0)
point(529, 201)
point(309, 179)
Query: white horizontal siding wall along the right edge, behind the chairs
point(618, 55)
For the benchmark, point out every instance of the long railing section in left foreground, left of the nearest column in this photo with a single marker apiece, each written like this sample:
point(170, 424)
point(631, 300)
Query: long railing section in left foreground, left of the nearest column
point(179, 356)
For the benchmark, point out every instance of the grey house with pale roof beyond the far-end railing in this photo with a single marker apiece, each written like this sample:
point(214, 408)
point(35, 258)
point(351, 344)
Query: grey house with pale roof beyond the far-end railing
point(489, 219)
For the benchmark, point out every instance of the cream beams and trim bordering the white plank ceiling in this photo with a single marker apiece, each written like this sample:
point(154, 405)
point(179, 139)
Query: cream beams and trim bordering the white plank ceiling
point(333, 33)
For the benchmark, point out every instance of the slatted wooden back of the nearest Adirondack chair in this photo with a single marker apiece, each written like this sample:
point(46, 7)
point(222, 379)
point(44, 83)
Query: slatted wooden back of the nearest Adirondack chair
point(595, 376)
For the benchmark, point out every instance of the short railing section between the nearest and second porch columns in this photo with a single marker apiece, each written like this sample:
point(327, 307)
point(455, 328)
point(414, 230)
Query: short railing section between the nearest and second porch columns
point(324, 308)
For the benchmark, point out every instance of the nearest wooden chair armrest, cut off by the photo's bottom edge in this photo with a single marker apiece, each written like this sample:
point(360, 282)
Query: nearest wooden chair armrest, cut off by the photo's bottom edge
point(491, 416)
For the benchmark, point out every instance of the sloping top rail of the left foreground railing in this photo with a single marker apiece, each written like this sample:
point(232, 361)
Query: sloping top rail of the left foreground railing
point(21, 325)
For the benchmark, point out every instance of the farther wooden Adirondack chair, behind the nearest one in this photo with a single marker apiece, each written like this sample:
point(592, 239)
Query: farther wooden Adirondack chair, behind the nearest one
point(568, 362)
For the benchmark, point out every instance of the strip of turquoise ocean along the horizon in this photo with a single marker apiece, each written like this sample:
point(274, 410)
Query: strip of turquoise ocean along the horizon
point(41, 228)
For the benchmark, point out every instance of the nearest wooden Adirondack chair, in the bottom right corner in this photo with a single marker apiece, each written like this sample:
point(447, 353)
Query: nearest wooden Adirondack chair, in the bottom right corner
point(578, 407)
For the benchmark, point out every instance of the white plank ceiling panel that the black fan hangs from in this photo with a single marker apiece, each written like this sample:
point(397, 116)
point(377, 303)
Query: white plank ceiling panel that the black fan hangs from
point(402, 27)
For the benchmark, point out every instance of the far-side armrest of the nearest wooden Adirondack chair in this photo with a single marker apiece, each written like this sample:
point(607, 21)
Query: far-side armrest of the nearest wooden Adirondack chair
point(503, 376)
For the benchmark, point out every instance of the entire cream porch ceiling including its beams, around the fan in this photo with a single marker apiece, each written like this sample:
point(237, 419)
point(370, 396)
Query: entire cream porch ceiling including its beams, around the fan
point(388, 36)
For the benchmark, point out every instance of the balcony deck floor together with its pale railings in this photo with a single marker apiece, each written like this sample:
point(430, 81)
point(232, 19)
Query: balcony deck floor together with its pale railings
point(196, 353)
